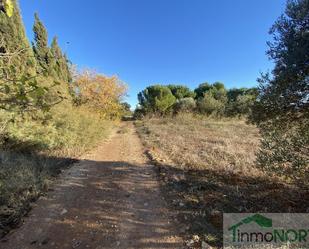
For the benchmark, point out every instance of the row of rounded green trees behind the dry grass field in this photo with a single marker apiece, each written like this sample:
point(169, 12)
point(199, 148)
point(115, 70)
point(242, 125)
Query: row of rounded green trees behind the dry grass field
point(209, 99)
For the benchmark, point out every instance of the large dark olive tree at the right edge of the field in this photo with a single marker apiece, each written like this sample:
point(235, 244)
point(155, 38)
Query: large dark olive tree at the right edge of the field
point(282, 109)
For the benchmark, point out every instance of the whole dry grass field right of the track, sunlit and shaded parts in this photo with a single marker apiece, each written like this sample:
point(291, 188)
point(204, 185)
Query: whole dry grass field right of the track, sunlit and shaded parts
point(208, 168)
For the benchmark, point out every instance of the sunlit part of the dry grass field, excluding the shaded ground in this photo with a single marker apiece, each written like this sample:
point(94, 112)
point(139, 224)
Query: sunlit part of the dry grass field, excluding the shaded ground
point(203, 143)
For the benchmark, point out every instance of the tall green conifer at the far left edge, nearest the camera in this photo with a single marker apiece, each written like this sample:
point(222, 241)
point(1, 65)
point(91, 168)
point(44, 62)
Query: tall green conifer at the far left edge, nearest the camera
point(20, 91)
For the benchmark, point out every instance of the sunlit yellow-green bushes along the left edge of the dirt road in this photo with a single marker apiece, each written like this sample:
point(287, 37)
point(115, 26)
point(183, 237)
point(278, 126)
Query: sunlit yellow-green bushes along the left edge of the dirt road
point(63, 129)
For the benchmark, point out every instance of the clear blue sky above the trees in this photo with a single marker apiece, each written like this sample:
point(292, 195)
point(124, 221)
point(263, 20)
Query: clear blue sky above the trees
point(162, 41)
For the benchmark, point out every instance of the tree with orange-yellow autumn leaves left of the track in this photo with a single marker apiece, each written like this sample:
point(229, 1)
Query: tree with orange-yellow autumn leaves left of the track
point(101, 93)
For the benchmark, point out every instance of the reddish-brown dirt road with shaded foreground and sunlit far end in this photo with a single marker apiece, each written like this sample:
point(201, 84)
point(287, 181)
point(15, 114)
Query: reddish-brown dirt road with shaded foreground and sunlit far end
point(111, 199)
